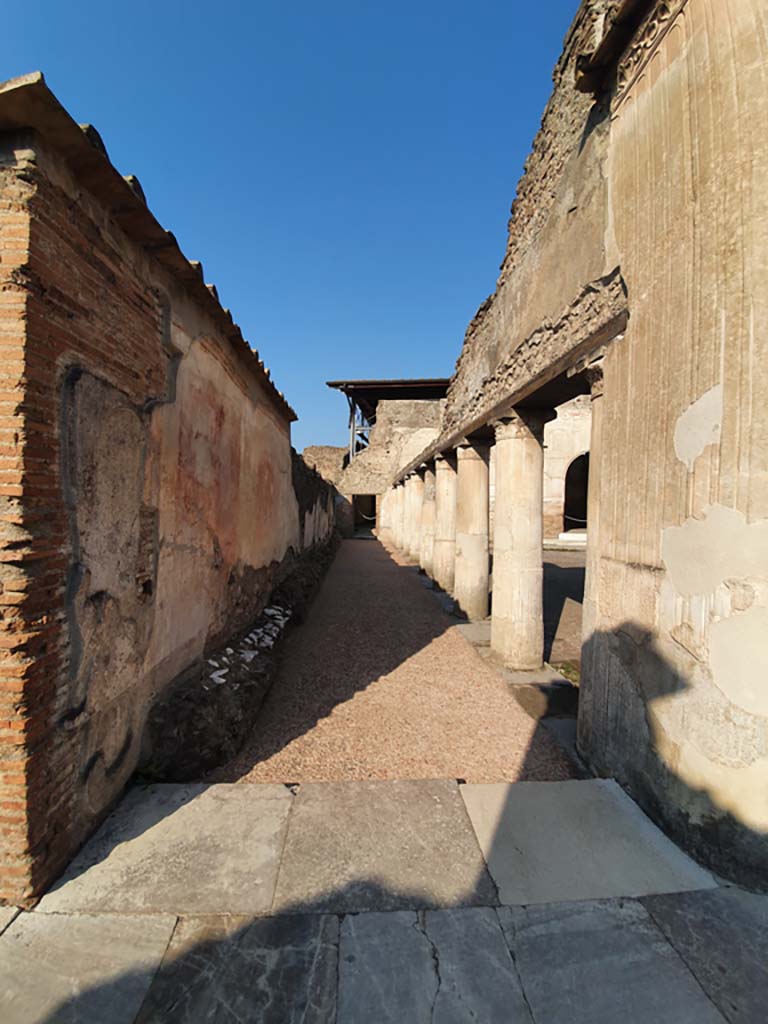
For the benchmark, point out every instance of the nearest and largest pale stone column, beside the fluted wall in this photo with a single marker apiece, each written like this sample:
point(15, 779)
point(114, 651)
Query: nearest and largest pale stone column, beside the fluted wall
point(518, 620)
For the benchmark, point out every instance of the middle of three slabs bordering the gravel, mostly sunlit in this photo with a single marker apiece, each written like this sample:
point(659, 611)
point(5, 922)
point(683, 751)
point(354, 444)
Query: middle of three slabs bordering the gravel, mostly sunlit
point(380, 846)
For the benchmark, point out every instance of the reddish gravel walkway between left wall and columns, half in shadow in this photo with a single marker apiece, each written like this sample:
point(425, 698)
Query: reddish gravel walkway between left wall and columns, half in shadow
point(378, 685)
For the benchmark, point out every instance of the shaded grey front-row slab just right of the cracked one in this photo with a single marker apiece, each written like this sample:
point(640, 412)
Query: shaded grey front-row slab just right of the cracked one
point(602, 963)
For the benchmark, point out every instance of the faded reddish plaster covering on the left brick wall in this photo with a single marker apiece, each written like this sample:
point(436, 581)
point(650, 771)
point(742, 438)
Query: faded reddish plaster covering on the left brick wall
point(180, 516)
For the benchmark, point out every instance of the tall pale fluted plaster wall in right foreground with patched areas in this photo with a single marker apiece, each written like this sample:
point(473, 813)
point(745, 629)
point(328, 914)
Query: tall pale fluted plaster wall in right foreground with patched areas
point(674, 691)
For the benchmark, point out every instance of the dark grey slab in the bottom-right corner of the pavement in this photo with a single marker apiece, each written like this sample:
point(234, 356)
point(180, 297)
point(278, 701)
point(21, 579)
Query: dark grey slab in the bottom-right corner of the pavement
point(722, 935)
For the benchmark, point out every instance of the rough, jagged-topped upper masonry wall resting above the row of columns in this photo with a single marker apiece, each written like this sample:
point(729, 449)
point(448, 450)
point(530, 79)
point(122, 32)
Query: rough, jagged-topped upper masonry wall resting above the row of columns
point(560, 288)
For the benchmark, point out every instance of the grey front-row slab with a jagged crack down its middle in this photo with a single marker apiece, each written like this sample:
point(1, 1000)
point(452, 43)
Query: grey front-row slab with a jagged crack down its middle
point(442, 967)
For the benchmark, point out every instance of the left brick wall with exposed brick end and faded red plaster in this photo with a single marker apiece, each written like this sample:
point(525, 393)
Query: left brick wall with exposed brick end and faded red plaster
point(149, 501)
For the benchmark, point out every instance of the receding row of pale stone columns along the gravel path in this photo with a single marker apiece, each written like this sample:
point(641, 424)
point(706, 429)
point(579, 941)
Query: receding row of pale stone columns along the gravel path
point(440, 518)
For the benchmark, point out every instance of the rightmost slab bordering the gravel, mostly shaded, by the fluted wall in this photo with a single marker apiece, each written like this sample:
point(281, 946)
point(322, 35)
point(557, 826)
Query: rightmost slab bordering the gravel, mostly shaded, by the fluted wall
point(577, 840)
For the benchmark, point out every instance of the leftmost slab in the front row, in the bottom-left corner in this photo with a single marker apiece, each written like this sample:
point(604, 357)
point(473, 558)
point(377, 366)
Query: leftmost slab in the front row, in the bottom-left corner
point(79, 969)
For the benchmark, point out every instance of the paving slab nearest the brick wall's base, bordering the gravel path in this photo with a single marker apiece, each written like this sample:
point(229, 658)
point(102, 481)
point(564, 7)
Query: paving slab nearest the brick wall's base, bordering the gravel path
point(181, 849)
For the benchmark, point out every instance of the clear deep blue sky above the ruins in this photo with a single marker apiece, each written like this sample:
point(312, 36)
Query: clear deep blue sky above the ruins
point(344, 170)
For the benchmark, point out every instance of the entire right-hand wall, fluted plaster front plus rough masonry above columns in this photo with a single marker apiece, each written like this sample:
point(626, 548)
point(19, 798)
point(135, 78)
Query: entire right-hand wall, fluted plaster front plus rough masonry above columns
point(638, 236)
